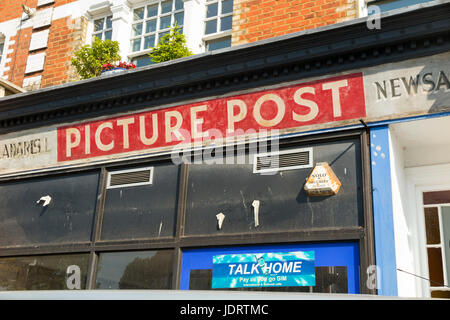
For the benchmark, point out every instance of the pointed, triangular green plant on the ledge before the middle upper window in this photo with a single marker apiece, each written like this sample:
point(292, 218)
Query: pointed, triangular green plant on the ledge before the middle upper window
point(171, 46)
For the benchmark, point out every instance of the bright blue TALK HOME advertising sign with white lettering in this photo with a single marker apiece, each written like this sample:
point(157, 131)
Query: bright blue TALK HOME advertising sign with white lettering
point(280, 269)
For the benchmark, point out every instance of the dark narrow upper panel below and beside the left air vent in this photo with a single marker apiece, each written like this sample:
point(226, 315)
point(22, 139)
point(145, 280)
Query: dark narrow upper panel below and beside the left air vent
point(147, 211)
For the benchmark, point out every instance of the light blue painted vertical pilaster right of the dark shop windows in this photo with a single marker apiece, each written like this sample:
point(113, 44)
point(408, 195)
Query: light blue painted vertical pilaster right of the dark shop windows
point(383, 212)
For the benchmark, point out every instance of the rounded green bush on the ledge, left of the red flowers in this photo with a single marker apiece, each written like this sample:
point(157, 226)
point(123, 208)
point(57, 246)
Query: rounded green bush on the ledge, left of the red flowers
point(89, 59)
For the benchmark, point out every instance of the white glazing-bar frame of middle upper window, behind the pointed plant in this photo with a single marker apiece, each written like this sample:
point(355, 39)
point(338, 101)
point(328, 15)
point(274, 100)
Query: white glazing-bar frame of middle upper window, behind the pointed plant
point(157, 31)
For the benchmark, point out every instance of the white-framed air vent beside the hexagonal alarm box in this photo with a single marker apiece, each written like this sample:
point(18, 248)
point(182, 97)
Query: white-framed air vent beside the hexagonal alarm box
point(283, 160)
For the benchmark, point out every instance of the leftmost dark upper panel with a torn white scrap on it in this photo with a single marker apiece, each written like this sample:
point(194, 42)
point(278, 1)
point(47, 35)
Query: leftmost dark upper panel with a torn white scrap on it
point(68, 217)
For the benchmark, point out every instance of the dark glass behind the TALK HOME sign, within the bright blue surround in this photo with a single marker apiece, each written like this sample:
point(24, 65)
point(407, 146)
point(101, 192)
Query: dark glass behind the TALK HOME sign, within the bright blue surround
point(328, 280)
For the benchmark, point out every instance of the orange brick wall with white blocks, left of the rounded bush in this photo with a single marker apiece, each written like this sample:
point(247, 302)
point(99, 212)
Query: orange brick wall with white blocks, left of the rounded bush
point(65, 35)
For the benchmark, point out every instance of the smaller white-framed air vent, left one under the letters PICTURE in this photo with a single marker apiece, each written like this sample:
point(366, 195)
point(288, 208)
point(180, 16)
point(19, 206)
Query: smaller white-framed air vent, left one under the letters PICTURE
point(130, 178)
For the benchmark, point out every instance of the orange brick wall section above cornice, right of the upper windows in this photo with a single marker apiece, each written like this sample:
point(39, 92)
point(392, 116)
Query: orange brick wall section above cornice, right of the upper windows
point(255, 20)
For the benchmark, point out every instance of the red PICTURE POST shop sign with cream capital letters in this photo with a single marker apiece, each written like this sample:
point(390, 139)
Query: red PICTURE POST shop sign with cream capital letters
point(322, 101)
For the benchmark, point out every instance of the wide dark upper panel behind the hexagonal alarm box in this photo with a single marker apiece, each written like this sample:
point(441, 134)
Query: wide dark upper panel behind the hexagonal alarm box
point(231, 189)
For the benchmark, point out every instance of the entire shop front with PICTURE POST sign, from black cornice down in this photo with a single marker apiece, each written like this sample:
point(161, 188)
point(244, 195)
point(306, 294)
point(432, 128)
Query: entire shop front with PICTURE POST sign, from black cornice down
point(273, 166)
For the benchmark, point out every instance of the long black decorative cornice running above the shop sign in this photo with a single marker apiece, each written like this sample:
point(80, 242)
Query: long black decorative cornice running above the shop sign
point(404, 34)
